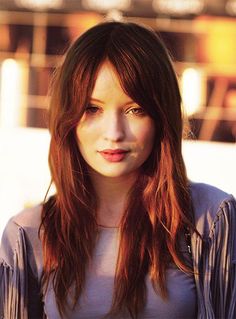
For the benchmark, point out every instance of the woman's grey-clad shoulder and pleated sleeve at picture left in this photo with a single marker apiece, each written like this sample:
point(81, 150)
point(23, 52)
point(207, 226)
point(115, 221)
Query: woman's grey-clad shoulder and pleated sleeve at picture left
point(21, 265)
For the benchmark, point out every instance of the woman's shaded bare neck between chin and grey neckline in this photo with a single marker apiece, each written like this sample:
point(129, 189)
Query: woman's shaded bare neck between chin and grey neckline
point(112, 196)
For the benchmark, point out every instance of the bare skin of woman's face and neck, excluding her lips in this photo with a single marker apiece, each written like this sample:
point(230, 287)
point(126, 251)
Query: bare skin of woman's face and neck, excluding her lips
point(113, 121)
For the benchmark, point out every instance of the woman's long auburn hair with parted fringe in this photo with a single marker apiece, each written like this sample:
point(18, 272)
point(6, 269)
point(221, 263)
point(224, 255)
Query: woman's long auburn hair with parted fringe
point(159, 206)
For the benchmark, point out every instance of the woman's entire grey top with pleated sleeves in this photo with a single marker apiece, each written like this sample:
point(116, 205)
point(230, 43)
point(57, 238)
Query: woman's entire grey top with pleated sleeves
point(214, 262)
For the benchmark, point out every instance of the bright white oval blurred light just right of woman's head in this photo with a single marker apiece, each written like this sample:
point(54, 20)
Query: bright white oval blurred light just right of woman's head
point(192, 90)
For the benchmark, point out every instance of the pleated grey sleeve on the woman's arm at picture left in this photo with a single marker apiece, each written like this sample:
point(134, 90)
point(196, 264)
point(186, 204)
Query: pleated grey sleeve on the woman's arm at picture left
point(19, 289)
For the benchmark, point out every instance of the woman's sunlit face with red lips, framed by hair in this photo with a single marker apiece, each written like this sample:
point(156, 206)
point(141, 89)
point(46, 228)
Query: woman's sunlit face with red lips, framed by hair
point(115, 135)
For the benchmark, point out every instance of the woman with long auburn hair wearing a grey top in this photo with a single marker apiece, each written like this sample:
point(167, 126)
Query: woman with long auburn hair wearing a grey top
point(126, 235)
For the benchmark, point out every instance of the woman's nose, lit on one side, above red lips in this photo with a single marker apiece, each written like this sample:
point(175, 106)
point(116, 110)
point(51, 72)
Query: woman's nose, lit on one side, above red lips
point(114, 127)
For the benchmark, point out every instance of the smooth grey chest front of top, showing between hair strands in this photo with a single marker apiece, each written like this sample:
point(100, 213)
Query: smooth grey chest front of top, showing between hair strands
point(96, 299)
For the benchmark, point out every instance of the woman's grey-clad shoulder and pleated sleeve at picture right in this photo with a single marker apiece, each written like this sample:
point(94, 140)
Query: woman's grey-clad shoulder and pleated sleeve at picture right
point(214, 257)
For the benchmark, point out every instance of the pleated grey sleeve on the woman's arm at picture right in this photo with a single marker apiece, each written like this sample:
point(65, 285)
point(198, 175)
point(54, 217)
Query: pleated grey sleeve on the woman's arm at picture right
point(220, 262)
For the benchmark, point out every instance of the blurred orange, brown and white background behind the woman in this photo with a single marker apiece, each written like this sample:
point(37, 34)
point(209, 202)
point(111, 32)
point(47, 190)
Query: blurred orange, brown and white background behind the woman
point(34, 34)
